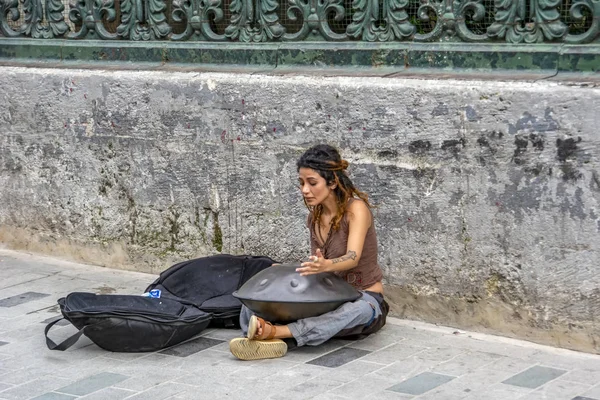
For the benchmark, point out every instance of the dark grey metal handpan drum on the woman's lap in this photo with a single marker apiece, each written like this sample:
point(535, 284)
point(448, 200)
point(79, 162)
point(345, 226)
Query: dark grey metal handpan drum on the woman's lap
point(280, 294)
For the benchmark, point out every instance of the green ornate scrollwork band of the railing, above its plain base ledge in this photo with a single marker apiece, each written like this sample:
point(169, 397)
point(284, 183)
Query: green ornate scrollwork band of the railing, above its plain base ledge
point(514, 21)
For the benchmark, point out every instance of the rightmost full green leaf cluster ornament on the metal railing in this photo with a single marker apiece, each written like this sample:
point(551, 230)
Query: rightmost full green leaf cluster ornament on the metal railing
point(511, 16)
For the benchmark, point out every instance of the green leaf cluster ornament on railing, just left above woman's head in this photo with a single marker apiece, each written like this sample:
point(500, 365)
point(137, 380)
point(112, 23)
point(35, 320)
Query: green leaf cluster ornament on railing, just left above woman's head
point(254, 22)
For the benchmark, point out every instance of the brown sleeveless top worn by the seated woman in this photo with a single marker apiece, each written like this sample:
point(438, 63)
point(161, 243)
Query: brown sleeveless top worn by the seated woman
point(367, 272)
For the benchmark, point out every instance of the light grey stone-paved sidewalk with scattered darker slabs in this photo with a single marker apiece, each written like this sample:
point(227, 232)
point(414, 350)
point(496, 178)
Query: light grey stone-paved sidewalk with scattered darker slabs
point(406, 360)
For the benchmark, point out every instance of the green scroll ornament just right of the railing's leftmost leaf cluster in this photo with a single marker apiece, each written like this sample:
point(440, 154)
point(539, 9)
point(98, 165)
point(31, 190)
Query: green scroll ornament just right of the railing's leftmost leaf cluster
point(89, 14)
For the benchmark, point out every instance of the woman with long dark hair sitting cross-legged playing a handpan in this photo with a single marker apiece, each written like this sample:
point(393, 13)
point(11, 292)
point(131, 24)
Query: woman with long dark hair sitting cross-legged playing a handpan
point(343, 241)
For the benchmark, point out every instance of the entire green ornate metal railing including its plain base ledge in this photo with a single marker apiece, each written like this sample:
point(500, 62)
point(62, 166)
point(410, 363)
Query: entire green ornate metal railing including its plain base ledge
point(519, 34)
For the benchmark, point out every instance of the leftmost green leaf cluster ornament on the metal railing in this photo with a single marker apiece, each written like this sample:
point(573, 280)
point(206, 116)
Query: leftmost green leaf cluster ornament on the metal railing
point(34, 16)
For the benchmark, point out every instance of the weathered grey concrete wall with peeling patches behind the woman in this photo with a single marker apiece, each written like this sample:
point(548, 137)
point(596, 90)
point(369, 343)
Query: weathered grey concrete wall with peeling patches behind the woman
point(487, 193)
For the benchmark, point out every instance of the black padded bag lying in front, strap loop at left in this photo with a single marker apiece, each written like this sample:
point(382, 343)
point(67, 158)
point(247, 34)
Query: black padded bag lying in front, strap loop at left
point(127, 323)
